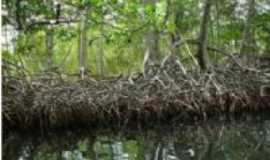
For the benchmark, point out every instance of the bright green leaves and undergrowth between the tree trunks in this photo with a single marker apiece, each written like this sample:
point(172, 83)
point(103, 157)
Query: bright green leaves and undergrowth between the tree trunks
point(125, 25)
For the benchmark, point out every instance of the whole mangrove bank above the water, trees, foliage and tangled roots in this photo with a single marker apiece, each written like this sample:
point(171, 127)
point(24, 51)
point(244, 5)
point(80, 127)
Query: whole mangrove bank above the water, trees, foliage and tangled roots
point(135, 61)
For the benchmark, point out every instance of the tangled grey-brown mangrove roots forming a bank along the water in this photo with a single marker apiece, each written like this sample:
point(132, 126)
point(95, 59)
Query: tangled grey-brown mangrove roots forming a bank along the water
point(160, 93)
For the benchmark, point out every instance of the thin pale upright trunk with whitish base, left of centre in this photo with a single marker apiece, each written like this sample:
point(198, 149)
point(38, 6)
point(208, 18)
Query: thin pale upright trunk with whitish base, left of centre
point(83, 44)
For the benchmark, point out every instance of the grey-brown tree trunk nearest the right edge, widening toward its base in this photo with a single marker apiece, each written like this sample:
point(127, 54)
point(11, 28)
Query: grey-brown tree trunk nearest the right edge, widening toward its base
point(248, 43)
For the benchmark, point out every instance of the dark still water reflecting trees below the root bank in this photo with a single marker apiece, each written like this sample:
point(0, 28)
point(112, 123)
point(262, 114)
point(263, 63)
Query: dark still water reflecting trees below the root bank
point(211, 141)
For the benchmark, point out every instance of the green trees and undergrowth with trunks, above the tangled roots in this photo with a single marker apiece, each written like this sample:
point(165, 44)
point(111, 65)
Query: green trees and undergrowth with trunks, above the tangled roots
point(111, 37)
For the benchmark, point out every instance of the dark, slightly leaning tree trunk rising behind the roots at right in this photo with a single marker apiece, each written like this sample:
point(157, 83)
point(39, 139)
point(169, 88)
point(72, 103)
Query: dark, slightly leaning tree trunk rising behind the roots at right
point(203, 37)
